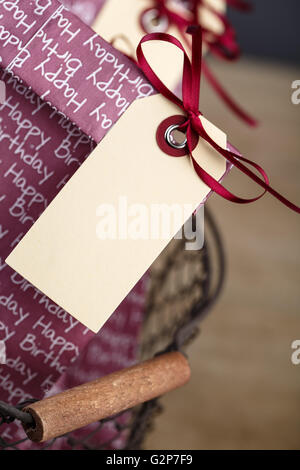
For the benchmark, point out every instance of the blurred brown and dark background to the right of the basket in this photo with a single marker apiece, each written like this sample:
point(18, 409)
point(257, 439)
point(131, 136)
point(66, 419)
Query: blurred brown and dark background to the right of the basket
point(245, 391)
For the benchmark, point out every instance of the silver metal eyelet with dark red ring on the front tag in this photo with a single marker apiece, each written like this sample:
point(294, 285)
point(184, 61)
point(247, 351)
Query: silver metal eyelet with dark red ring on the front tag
point(166, 140)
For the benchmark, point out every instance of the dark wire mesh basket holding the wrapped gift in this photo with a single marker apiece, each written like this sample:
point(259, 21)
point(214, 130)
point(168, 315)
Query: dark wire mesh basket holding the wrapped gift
point(183, 288)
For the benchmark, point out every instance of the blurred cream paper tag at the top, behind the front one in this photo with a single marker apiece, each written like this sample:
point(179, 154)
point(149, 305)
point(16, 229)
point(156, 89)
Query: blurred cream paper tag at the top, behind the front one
point(118, 23)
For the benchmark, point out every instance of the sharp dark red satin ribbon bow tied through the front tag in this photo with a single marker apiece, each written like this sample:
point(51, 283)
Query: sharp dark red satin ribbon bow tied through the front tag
point(190, 105)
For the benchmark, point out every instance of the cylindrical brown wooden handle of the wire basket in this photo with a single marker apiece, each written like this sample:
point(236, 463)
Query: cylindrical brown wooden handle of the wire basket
point(105, 397)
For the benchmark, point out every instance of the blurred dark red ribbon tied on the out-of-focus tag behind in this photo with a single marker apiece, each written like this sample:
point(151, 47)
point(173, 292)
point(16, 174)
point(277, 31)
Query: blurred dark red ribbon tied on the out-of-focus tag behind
point(224, 45)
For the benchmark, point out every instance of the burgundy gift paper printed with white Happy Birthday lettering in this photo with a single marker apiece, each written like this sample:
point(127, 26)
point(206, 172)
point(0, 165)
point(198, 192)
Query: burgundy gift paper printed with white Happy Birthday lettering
point(42, 143)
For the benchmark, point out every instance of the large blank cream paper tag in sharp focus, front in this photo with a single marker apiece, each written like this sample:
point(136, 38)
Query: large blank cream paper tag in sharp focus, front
point(62, 254)
